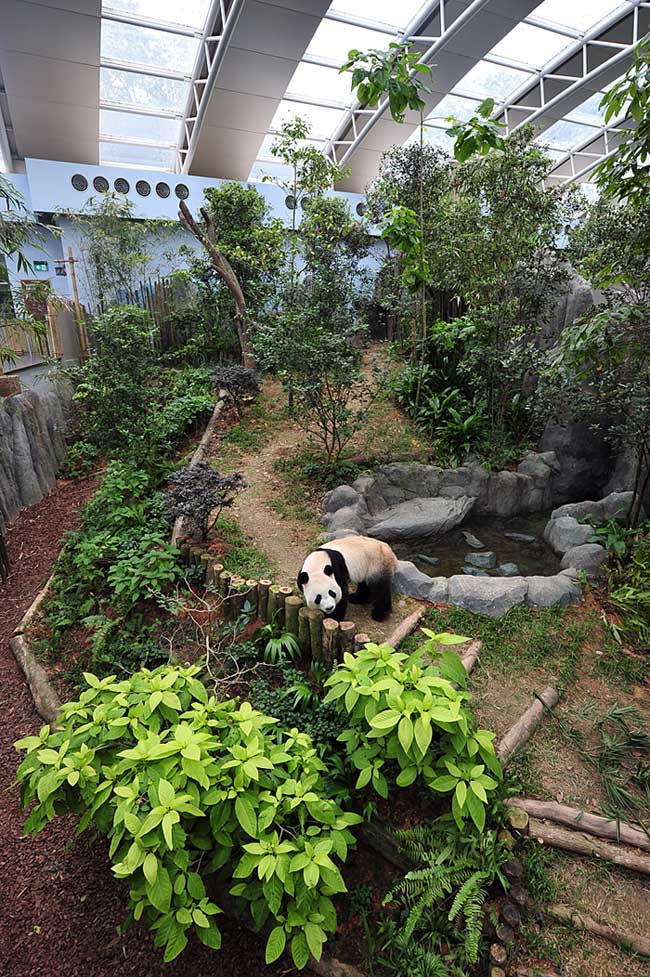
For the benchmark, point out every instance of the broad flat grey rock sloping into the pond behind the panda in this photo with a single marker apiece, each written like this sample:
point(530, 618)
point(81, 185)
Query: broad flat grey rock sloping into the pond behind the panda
point(421, 519)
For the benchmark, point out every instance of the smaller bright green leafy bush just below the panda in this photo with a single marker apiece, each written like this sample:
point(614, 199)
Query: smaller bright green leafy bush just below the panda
point(403, 710)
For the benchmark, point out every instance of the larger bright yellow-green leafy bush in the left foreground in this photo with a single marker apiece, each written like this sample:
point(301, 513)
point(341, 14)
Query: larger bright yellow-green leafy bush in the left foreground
point(186, 786)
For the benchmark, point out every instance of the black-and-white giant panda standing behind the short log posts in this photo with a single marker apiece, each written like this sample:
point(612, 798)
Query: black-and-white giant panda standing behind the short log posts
point(327, 573)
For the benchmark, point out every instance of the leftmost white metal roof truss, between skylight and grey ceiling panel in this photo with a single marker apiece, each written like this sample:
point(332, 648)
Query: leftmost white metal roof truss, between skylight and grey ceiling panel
point(220, 24)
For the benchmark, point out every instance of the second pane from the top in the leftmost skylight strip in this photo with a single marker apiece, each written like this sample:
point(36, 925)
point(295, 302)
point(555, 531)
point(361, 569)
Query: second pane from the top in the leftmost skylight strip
point(154, 48)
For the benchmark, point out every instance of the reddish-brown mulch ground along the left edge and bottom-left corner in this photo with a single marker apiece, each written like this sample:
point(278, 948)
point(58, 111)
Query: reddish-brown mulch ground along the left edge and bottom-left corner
point(61, 906)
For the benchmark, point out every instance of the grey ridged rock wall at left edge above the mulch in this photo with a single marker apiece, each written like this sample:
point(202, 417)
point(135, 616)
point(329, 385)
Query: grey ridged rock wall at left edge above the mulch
point(32, 446)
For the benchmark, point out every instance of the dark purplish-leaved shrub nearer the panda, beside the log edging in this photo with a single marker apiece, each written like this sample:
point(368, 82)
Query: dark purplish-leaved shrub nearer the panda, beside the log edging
point(201, 493)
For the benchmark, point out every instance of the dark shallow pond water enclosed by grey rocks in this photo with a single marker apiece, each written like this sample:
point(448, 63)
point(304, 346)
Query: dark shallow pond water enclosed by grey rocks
point(451, 549)
